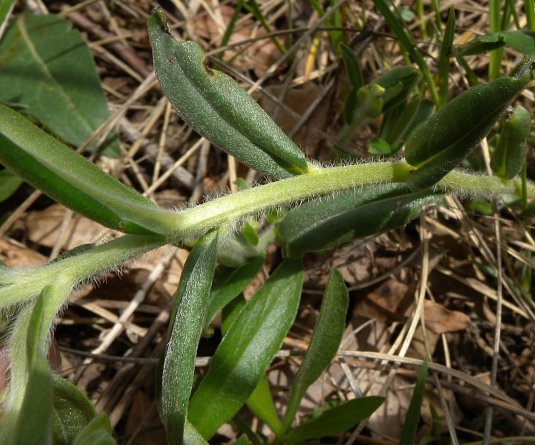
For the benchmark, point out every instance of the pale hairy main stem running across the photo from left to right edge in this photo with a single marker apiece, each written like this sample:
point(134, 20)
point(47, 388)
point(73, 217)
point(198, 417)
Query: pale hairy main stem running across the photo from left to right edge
point(18, 286)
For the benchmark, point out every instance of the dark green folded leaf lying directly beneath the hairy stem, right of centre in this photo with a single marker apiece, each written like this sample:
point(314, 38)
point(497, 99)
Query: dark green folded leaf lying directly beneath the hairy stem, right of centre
point(325, 223)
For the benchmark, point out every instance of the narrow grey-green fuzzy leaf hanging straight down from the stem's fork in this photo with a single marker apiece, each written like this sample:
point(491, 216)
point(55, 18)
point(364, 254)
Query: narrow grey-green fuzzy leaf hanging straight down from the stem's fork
point(187, 324)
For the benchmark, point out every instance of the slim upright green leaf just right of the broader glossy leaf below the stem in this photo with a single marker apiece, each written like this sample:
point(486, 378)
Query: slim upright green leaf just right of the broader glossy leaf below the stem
point(324, 344)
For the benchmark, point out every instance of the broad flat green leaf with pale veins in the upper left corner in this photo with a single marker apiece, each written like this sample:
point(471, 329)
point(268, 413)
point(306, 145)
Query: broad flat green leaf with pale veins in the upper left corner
point(46, 65)
